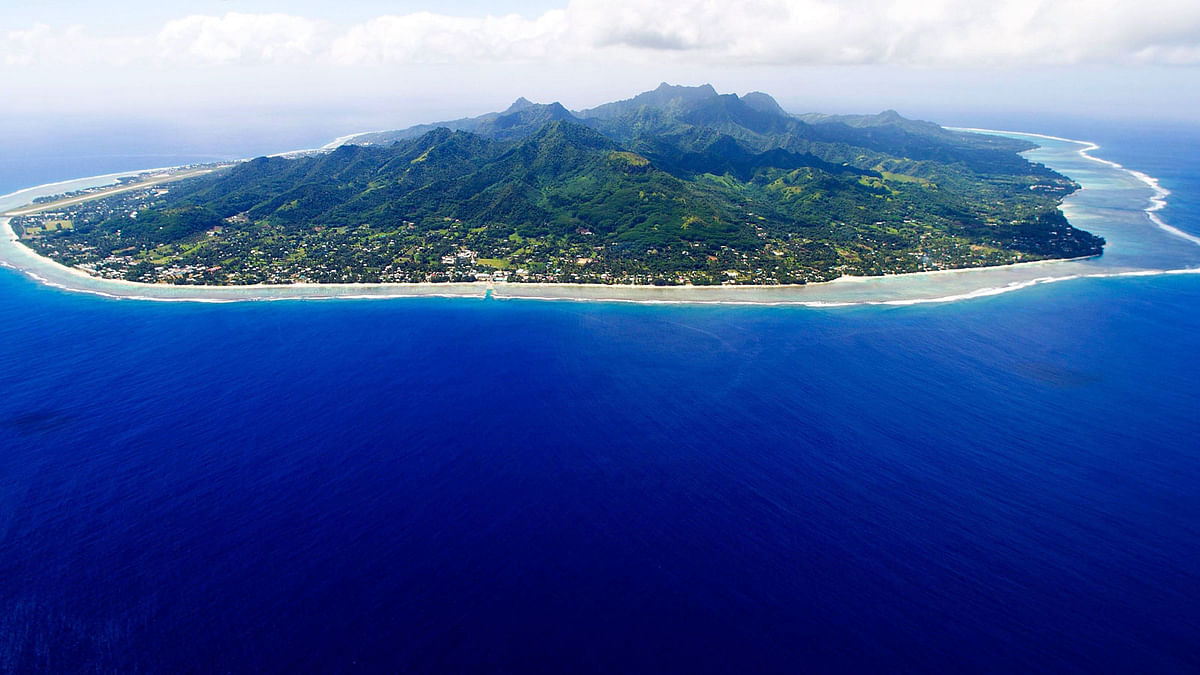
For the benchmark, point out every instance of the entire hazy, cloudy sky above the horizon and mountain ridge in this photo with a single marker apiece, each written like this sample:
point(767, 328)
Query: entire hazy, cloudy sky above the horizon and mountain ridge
point(375, 64)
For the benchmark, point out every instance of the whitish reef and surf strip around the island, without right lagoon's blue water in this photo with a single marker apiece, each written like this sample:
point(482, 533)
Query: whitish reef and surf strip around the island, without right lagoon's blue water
point(921, 288)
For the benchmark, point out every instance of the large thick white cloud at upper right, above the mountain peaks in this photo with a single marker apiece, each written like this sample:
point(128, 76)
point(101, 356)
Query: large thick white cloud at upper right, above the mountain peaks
point(928, 33)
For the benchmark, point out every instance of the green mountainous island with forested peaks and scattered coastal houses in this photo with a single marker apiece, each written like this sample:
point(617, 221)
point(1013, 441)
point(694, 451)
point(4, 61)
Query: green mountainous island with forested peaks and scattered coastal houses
point(680, 186)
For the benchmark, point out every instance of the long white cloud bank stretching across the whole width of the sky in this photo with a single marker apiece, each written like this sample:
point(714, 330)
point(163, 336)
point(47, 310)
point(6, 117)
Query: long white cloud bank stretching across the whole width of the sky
point(914, 33)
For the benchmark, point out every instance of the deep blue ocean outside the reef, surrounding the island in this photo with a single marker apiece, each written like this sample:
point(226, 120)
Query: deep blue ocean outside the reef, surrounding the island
point(1004, 485)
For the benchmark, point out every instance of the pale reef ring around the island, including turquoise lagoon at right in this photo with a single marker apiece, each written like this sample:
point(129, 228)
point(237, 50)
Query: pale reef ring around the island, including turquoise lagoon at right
point(1141, 244)
